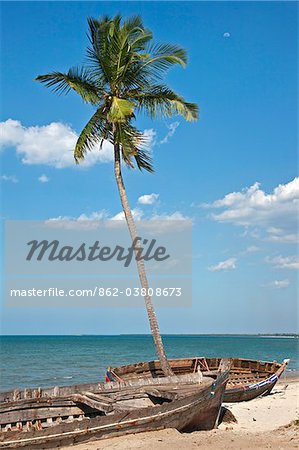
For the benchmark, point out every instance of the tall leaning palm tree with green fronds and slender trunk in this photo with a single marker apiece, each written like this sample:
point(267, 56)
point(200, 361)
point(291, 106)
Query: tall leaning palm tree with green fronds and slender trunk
point(122, 76)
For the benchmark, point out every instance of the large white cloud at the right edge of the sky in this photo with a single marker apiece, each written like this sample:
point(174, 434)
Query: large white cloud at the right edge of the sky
point(275, 213)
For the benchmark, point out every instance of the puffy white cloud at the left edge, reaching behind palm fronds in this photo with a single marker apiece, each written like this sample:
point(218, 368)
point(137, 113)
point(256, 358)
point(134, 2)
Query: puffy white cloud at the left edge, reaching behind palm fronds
point(53, 144)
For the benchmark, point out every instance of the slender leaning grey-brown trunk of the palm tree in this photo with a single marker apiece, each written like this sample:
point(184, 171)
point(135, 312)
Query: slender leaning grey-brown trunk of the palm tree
point(140, 264)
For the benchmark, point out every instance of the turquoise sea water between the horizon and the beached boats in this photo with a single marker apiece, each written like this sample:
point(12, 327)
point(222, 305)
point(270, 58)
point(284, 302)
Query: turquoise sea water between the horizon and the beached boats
point(31, 361)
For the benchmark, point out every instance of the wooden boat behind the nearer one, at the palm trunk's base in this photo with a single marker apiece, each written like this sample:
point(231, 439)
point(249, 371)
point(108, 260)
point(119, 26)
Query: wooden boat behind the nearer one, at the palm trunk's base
point(248, 378)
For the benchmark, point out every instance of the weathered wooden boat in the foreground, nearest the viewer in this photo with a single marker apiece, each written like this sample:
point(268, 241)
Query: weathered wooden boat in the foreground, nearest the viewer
point(52, 417)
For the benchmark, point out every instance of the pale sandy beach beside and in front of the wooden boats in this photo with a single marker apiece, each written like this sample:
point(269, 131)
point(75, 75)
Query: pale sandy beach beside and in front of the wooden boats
point(262, 423)
